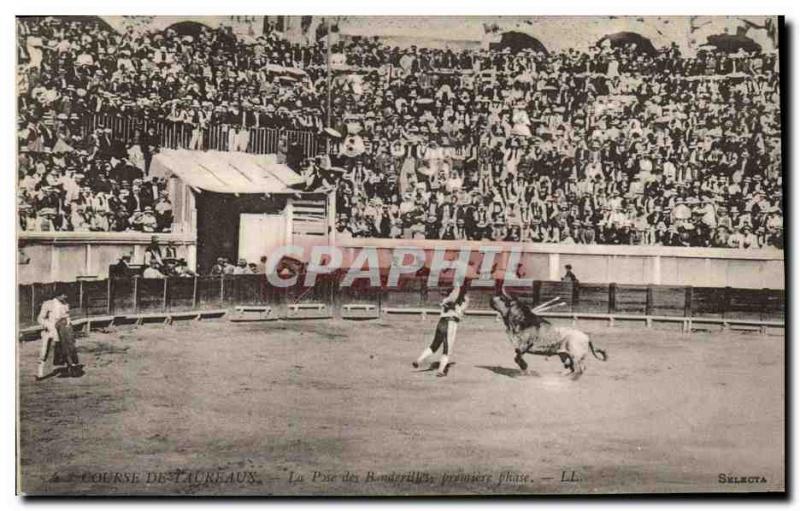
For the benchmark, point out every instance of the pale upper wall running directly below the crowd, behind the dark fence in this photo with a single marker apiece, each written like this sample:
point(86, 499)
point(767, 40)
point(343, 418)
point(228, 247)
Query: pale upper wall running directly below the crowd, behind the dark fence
point(64, 256)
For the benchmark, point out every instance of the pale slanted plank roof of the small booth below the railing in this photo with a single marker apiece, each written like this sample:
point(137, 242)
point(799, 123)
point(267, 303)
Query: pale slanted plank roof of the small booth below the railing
point(226, 172)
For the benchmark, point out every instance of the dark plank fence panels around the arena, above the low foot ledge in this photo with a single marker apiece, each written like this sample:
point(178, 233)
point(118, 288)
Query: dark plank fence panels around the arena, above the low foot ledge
point(139, 295)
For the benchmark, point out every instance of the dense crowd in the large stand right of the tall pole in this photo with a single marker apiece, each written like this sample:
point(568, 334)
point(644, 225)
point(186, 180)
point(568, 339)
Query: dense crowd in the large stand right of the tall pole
point(613, 146)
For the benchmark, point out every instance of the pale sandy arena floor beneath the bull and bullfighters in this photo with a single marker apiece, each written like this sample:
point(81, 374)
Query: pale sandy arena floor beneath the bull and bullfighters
point(334, 407)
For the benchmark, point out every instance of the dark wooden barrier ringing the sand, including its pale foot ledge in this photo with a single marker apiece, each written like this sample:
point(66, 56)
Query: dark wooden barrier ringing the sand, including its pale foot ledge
point(161, 300)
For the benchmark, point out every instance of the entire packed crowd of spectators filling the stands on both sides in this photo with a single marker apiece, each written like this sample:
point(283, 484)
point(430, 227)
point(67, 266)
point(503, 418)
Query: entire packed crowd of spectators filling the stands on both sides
point(613, 145)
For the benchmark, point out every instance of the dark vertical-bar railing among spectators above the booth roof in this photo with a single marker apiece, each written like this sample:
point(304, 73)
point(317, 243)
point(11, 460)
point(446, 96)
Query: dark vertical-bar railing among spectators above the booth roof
point(176, 135)
